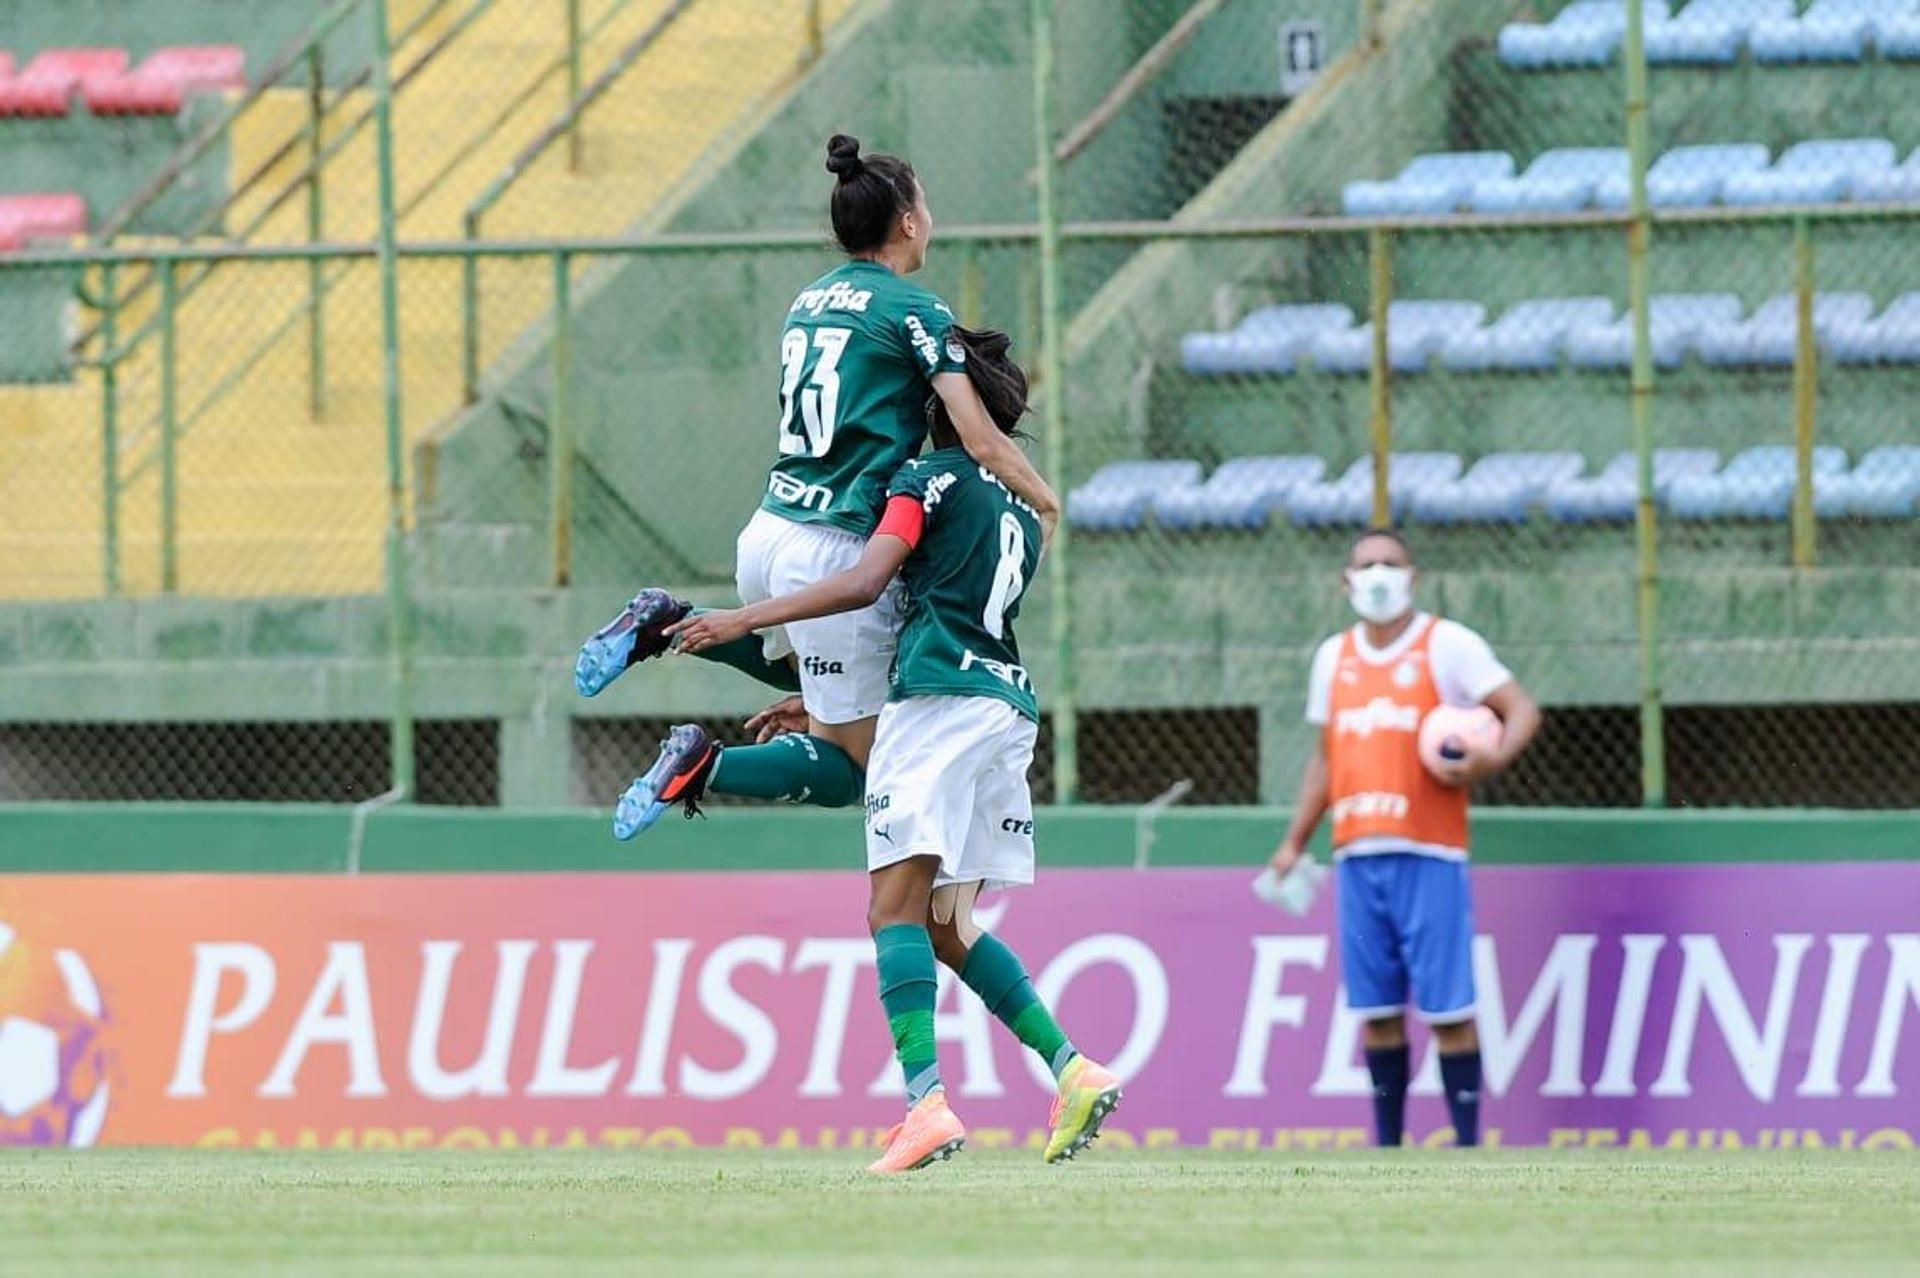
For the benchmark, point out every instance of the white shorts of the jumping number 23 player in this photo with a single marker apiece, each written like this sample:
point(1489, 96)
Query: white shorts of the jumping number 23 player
point(844, 659)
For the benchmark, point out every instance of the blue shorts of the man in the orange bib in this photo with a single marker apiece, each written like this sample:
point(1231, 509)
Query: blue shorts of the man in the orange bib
point(1406, 922)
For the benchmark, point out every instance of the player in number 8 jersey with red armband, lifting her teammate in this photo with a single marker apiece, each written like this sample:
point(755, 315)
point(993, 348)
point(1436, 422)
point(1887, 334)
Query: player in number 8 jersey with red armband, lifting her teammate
point(948, 803)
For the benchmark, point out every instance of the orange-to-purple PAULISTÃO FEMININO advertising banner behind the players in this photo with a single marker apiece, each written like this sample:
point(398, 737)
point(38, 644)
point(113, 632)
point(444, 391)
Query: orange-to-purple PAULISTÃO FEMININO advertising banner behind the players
point(1639, 1006)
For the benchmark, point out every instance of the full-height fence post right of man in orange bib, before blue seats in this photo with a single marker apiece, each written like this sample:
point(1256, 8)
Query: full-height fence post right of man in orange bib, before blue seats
point(1646, 515)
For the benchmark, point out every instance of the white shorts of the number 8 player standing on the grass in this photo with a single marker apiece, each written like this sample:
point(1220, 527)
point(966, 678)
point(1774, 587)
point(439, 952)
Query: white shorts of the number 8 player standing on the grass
point(949, 780)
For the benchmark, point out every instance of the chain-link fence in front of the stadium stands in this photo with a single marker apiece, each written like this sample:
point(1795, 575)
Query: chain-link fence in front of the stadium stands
point(1245, 193)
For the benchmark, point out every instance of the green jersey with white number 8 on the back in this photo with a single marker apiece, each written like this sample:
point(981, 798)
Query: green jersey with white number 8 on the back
point(978, 550)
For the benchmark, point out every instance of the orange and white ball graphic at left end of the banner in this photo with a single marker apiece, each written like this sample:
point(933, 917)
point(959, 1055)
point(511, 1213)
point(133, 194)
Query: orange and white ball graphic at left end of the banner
point(53, 1054)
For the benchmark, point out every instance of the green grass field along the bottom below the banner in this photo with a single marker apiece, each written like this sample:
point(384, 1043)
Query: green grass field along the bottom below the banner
point(585, 1214)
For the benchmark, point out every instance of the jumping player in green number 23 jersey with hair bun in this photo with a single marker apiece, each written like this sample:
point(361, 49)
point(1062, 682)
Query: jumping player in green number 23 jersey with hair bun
point(863, 350)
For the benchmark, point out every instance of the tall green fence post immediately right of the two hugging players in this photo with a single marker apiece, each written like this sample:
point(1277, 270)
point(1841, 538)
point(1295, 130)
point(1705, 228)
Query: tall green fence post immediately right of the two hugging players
point(1055, 410)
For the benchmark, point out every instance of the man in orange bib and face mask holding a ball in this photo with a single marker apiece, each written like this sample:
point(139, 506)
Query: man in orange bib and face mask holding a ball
point(1401, 832)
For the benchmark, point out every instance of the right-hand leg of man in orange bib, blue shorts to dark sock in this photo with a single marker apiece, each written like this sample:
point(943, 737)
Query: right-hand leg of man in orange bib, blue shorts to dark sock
point(1437, 912)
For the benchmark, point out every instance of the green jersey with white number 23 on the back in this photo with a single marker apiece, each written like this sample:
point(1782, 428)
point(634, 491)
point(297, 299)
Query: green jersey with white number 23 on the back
point(857, 367)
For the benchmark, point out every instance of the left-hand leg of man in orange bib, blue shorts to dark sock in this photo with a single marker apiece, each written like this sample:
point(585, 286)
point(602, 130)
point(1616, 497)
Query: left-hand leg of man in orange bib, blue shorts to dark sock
point(1376, 978)
